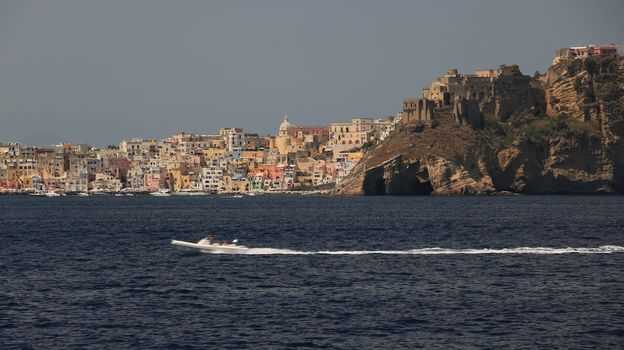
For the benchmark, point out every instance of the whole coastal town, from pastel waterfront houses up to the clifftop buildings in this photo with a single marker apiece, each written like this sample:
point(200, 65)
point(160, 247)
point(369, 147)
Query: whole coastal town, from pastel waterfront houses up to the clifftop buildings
point(297, 159)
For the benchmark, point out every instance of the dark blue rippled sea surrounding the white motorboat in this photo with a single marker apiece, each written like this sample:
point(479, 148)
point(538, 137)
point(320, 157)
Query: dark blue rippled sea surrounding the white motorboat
point(99, 273)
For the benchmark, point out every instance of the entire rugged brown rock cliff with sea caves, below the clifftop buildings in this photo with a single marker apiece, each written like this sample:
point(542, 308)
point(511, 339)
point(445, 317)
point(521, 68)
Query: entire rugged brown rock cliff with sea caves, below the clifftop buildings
point(581, 151)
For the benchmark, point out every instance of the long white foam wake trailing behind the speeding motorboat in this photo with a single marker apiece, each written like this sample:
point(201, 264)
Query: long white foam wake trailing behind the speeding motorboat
point(605, 249)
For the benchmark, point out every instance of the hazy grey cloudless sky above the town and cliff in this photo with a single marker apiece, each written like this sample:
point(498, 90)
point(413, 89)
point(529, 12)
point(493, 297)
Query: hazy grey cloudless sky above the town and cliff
point(101, 71)
